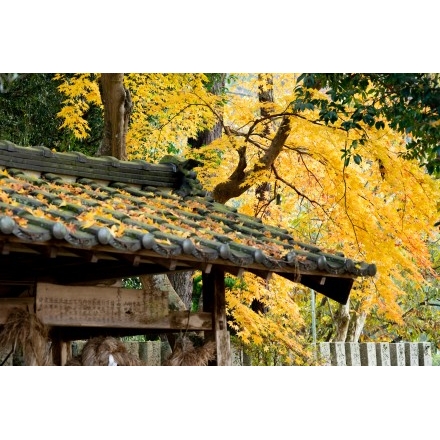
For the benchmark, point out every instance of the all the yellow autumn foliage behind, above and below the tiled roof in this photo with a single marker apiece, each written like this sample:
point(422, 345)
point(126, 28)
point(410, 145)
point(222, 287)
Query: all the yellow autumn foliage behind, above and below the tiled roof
point(381, 210)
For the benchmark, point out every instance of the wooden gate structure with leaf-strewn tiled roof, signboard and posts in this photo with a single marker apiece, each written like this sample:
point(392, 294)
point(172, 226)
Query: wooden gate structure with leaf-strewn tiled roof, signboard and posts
point(70, 225)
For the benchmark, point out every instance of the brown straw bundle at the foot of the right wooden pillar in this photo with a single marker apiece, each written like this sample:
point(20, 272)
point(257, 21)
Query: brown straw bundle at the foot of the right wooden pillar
point(185, 354)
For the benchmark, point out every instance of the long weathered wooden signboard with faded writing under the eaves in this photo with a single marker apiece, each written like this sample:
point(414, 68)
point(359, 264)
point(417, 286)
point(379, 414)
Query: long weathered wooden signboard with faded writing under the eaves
point(112, 307)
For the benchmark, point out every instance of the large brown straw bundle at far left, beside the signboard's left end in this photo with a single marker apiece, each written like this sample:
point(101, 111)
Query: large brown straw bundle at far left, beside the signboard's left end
point(25, 332)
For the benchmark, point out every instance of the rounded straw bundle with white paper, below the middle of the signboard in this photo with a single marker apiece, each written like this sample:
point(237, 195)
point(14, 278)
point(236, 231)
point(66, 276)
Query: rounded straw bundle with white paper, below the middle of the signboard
point(104, 351)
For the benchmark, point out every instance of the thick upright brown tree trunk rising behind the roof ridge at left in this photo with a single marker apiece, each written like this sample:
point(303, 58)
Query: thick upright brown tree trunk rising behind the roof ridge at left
point(117, 109)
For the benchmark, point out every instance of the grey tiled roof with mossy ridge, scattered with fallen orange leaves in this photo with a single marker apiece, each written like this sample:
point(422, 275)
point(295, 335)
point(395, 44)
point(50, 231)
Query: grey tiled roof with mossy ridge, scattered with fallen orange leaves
point(67, 204)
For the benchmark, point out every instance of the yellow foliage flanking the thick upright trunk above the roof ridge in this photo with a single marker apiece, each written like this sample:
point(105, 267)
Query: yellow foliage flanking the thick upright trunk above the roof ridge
point(167, 109)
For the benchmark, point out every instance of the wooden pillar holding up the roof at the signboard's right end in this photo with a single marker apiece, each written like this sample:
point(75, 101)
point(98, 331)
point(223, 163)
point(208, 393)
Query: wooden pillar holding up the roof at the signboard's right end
point(214, 301)
